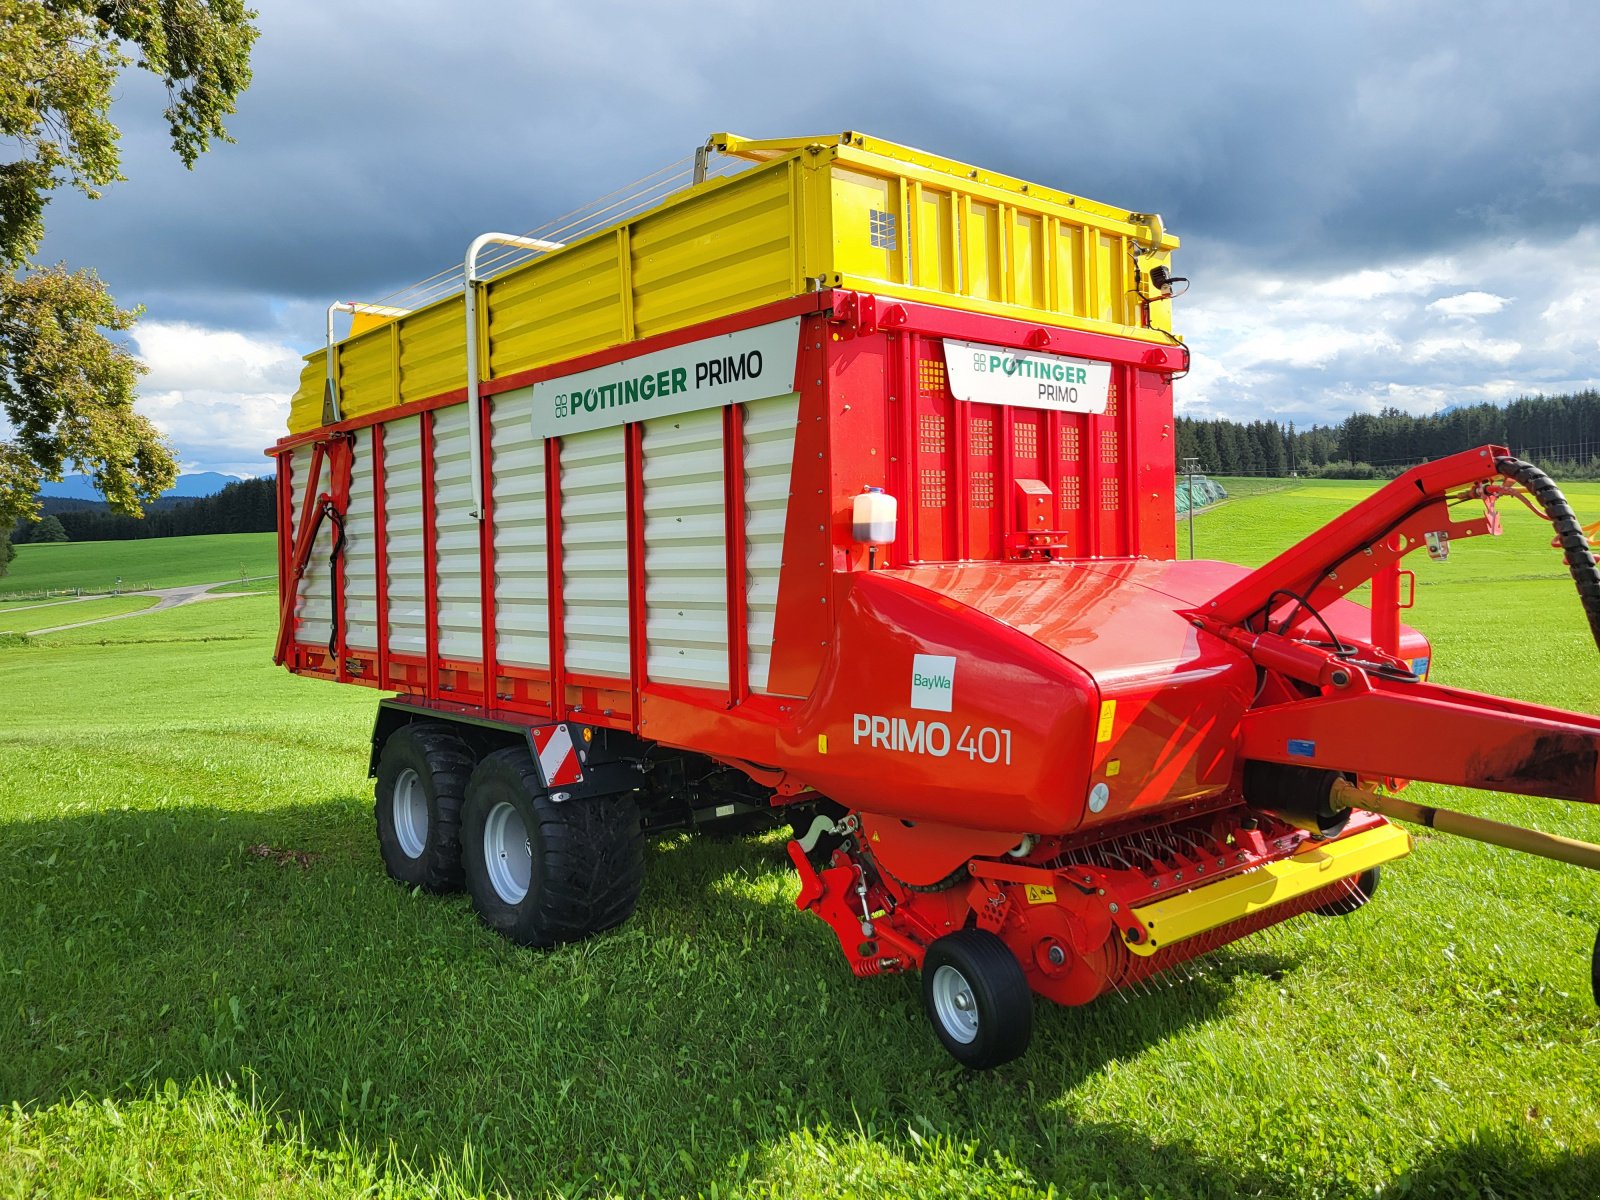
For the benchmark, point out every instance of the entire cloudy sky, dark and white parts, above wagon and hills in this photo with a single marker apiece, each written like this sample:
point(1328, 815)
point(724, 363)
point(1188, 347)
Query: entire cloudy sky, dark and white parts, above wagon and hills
point(1380, 202)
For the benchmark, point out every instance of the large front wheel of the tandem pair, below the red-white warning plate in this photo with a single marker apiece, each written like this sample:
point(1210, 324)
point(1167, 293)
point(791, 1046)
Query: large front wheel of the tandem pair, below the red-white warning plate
point(585, 858)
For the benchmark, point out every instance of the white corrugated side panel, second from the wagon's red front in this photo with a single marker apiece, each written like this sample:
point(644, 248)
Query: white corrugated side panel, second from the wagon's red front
point(686, 550)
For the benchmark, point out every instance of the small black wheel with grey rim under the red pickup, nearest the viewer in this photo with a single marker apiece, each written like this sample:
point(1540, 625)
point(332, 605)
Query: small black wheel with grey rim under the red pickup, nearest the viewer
point(977, 999)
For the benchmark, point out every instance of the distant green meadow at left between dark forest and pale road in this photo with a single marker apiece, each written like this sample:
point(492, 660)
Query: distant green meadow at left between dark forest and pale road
point(156, 562)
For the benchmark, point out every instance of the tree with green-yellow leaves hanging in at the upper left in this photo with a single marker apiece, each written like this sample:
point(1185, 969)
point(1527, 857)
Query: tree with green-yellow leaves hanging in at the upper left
point(66, 383)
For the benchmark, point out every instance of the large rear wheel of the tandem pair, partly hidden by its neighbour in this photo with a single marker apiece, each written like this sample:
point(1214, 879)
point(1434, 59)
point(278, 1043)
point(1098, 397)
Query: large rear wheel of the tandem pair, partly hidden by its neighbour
point(422, 783)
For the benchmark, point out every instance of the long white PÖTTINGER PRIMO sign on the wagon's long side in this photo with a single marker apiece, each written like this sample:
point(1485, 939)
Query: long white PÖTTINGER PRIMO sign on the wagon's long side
point(711, 374)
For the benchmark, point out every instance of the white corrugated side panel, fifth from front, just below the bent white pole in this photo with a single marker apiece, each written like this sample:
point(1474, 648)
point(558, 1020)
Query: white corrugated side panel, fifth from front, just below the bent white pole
point(457, 538)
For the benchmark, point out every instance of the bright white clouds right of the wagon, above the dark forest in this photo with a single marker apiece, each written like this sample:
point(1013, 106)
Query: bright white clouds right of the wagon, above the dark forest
point(1484, 324)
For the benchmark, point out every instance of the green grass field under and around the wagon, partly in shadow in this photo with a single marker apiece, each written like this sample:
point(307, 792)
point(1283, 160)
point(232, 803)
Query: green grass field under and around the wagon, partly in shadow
point(207, 985)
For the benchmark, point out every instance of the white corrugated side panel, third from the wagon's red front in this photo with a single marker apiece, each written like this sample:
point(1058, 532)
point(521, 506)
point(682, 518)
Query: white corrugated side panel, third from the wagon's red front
point(594, 553)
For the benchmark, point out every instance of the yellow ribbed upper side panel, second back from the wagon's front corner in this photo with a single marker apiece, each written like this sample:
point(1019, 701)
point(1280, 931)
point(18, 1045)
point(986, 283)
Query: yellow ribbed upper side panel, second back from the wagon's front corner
point(575, 303)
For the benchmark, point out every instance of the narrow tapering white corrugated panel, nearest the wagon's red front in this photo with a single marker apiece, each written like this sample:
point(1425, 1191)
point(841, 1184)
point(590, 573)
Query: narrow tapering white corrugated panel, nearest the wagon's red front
point(769, 457)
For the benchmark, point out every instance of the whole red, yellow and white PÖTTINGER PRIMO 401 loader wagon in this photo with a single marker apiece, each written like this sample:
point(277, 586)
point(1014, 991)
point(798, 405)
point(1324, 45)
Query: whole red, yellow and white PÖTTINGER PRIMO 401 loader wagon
point(833, 486)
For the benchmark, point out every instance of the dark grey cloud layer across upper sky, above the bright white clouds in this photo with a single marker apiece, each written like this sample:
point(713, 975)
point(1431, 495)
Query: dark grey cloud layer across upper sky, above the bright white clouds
point(378, 138)
